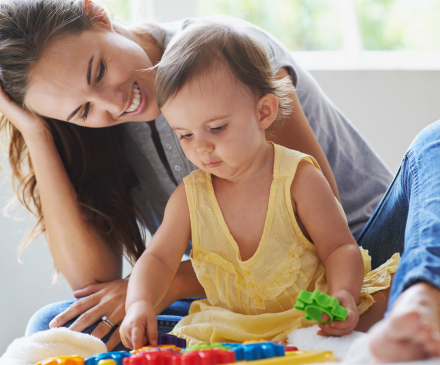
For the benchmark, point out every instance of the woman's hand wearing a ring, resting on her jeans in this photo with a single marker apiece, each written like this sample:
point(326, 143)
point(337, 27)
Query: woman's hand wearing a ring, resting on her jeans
point(98, 300)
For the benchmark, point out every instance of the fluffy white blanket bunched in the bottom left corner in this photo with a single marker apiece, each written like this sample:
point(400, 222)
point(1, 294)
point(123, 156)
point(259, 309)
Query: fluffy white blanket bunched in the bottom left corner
point(54, 342)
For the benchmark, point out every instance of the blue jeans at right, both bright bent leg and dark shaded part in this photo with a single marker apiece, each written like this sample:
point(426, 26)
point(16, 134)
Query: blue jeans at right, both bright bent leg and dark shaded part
point(407, 220)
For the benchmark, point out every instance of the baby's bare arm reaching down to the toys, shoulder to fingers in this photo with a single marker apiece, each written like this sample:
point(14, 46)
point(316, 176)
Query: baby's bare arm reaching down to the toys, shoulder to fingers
point(154, 271)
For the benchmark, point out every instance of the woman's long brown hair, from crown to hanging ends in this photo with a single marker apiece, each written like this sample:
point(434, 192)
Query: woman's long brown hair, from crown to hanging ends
point(94, 158)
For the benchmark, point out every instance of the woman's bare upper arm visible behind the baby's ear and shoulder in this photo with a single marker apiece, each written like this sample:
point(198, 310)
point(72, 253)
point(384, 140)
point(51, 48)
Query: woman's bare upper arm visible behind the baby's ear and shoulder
point(295, 133)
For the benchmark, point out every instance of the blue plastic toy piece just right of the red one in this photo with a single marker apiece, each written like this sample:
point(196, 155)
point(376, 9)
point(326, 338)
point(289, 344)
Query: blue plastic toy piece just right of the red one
point(255, 351)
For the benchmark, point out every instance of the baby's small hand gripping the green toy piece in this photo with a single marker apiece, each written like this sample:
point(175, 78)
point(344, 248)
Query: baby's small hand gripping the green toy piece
point(340, 328)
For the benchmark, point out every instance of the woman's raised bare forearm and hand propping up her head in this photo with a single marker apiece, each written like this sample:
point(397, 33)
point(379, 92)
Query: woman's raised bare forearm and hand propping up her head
point(78, 251)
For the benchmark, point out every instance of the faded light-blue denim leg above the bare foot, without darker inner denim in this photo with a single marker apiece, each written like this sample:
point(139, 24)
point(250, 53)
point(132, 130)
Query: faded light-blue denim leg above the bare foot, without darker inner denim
point(421, 258)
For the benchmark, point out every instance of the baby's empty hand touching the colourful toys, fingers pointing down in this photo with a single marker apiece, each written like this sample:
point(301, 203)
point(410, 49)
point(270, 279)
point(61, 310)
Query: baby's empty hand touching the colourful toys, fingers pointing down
point(139, 326)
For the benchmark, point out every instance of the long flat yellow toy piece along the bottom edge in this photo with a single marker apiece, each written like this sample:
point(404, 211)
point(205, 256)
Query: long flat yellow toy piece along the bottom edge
point(294, 358)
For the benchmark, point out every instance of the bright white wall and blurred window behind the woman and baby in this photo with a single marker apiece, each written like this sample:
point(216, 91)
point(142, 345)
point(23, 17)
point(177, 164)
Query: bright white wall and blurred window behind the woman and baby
point(377, 60)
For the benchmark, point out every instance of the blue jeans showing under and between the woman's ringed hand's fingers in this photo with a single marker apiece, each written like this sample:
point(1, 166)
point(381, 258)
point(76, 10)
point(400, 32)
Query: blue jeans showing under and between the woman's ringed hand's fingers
point(165, 321)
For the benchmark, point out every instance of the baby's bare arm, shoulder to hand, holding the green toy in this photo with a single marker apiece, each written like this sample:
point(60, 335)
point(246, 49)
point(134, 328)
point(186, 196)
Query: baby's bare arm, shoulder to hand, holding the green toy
point(319, 213)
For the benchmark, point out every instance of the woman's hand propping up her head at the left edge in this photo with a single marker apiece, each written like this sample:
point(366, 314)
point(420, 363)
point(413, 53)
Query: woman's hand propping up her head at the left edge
point(25, 121)
